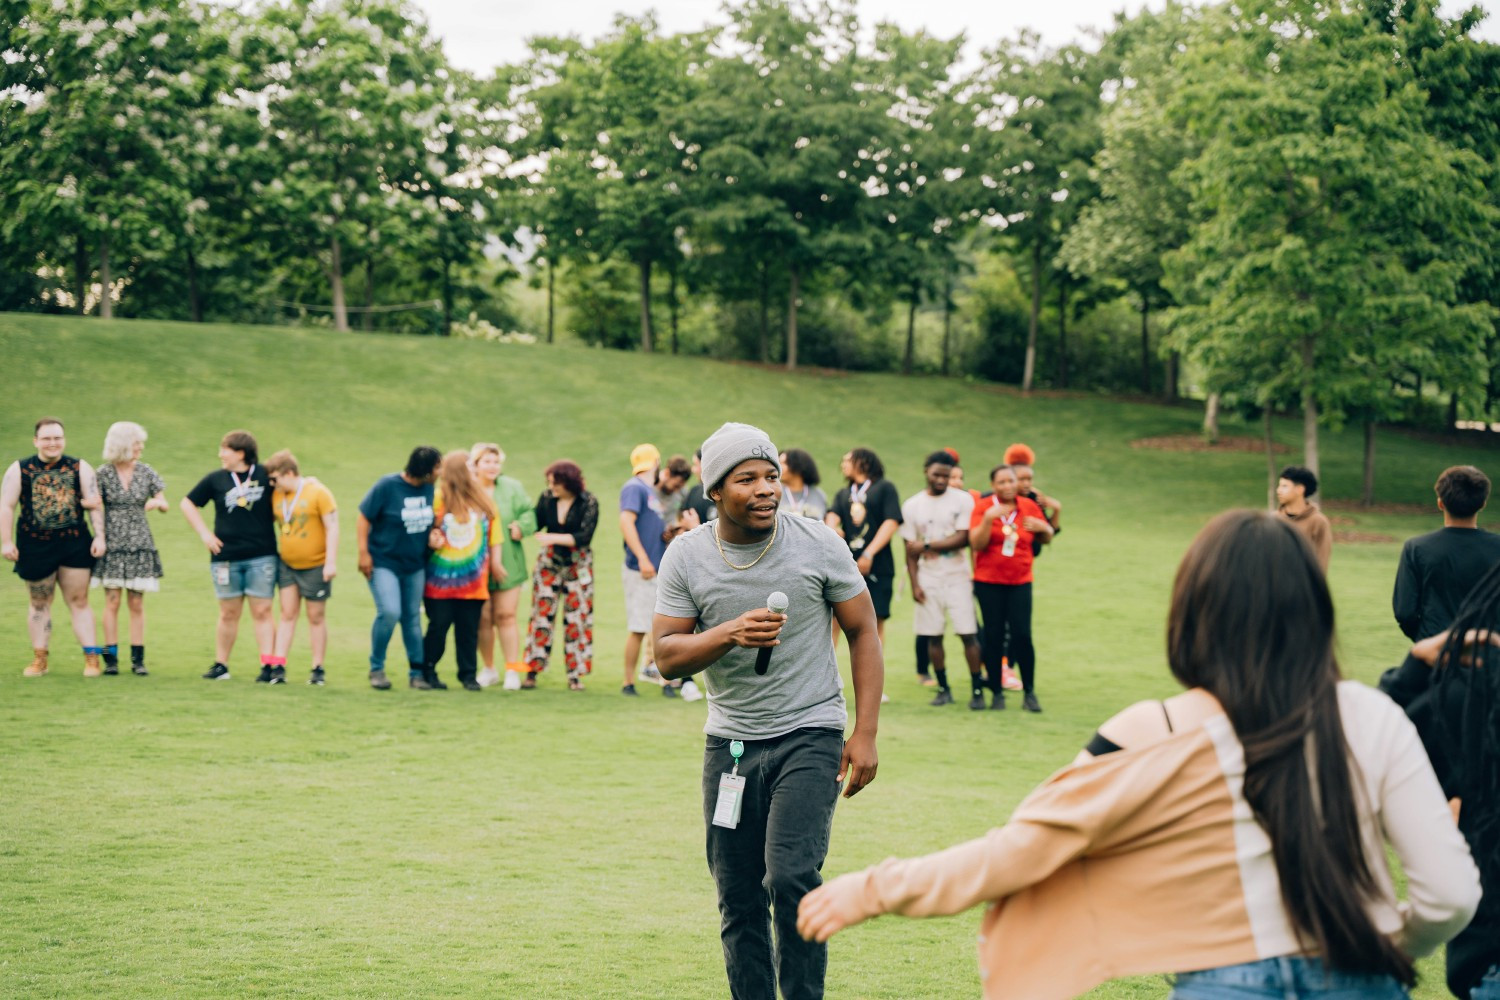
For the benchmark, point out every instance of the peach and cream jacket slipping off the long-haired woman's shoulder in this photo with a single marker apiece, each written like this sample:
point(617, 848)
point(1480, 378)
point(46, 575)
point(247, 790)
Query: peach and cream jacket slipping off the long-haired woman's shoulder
point(1150, 861)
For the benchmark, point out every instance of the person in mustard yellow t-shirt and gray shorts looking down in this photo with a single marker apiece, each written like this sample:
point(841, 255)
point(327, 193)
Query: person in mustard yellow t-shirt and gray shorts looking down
point(308, 530)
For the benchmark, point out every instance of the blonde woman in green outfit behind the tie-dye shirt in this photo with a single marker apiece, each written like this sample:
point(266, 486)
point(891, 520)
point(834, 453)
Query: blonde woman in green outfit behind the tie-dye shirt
point(518, 518)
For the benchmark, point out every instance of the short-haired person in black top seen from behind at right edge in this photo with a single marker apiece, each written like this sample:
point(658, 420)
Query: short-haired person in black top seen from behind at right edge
point(1439, 569)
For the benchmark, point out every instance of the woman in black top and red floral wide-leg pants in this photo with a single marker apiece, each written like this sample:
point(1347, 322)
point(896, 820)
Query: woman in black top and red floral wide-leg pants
point(565, 576)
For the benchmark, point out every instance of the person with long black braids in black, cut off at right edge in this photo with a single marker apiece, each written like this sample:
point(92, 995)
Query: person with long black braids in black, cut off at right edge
point(1450, 686)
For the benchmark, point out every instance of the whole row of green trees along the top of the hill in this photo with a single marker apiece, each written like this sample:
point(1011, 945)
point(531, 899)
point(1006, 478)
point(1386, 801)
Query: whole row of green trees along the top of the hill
point(1282, 205)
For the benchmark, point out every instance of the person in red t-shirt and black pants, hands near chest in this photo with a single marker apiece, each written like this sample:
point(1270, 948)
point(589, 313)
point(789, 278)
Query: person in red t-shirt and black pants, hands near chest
point(1001, 533)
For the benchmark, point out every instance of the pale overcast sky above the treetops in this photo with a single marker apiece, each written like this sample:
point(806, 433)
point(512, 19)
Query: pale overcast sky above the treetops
point(481, 37)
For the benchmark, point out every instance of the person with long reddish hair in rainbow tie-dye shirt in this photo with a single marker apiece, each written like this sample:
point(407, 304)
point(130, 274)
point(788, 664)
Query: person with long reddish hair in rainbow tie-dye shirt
point(466, 546)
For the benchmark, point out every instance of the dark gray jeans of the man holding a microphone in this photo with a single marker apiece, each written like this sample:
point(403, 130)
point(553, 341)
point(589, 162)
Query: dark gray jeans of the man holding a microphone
point(773, 858)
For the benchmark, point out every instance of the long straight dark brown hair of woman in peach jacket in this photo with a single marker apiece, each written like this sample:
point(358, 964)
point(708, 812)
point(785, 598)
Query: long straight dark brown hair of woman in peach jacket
point(1253, 624)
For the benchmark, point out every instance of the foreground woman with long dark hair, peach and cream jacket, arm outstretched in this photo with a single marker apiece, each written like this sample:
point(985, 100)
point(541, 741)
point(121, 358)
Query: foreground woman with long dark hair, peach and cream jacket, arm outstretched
point(1234, 834)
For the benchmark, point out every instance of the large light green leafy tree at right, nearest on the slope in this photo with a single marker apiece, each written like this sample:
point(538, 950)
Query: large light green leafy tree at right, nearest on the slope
point(1334, 226)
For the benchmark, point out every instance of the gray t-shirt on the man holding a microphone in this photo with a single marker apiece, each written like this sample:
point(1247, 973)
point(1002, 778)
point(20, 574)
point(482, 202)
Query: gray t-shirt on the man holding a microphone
point(808, 563)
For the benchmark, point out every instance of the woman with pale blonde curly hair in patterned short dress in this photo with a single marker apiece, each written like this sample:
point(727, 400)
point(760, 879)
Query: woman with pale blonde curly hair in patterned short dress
point(131, 564)
